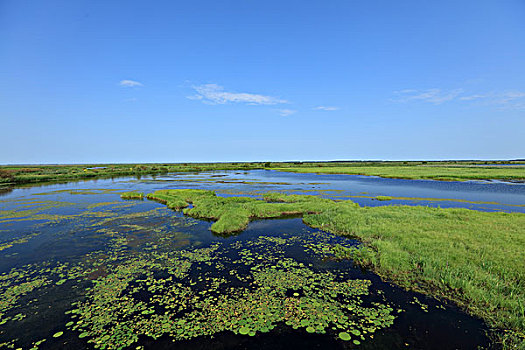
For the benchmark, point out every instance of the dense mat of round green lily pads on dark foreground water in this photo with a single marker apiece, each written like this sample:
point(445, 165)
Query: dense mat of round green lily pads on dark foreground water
point(190, 301)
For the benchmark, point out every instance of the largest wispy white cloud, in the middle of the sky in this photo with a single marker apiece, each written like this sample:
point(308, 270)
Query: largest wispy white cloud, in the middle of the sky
point(215, 94)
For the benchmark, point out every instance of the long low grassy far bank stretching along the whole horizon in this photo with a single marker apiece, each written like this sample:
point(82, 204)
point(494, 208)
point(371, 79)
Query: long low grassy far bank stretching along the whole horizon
point(446, 170)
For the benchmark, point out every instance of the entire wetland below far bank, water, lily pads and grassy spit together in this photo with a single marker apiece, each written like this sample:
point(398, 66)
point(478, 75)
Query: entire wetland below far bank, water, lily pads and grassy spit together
point(262, 259)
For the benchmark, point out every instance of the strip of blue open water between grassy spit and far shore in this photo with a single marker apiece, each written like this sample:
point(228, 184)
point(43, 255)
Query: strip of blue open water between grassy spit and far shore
point(478, 195)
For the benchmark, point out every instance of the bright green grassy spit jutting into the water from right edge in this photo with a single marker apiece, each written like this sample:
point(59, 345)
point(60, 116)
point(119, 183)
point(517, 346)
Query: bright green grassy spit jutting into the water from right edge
point(475, 259)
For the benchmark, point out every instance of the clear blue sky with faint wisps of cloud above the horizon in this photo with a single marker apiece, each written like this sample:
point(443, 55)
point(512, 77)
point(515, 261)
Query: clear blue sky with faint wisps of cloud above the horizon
point(182, 81)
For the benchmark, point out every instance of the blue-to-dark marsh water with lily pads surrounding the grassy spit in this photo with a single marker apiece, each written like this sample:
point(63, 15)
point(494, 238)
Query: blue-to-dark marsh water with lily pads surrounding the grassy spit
point(82, 268)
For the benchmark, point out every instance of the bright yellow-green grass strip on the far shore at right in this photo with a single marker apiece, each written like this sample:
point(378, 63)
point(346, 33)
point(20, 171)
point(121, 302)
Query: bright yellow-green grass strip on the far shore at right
point(446, 172)
